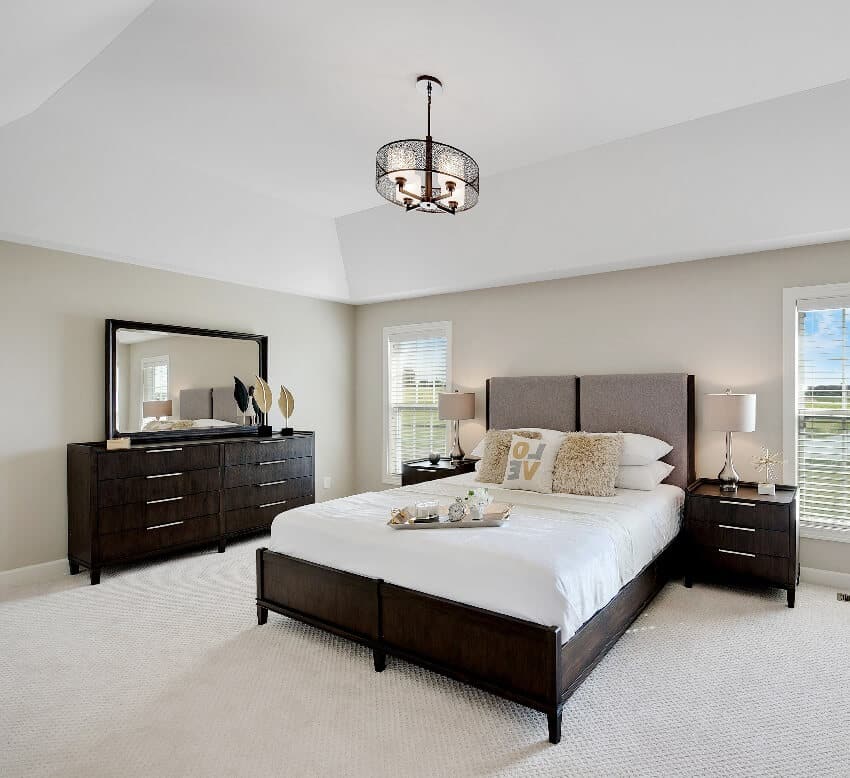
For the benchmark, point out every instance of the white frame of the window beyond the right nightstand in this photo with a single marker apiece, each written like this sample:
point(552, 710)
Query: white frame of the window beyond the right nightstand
point(791, 299)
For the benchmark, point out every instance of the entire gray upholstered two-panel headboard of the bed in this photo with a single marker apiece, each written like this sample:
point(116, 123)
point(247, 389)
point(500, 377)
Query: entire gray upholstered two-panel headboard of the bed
point(656, 404)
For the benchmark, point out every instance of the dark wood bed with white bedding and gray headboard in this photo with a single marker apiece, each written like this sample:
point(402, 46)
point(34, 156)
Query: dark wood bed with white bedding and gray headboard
point(524, 611)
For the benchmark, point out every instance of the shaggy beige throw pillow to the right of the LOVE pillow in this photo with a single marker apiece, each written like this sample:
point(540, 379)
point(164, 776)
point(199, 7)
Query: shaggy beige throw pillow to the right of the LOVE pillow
point(588, 463)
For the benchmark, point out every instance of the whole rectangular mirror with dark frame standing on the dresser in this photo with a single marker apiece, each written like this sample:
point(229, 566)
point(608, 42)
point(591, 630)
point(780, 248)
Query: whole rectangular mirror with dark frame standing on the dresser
point(166, 381)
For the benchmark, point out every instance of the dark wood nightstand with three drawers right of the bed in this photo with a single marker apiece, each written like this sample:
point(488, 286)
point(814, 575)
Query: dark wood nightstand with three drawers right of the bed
point(742, 534)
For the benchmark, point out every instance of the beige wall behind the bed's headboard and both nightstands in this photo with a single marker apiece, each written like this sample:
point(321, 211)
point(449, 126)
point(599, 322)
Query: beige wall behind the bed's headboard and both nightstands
point(719, 319)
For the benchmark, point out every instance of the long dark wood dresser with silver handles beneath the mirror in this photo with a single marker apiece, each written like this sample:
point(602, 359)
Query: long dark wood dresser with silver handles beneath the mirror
point(159, 498)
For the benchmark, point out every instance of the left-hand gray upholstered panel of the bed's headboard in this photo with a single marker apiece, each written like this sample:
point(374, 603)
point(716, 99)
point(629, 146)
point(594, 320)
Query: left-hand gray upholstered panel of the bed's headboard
point(532, 401)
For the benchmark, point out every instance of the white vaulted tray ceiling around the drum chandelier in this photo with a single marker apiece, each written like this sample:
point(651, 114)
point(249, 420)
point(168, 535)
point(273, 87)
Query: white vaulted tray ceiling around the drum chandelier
point(236, 140)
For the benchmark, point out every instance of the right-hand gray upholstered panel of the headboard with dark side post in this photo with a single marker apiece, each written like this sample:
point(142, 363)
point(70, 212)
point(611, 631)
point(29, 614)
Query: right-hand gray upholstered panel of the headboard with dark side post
point(656, 404)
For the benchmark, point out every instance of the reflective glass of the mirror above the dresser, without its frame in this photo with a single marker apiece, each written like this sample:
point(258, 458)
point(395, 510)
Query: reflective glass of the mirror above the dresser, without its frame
point(166, 381)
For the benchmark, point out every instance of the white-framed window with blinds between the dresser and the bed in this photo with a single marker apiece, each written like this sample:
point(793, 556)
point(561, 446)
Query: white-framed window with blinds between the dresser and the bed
point(417, 367)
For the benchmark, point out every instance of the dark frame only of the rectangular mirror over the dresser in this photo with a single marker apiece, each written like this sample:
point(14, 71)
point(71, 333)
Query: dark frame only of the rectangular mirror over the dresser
point(112, 327)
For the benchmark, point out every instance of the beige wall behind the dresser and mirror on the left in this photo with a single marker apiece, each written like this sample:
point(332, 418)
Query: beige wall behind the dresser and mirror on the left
point(52, 307)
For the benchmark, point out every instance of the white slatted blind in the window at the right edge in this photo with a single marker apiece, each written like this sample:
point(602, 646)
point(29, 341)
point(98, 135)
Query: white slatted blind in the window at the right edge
point(823, 412)
